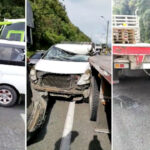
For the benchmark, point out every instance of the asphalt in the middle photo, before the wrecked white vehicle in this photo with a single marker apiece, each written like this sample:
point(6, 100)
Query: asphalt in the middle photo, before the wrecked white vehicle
point(83, 136)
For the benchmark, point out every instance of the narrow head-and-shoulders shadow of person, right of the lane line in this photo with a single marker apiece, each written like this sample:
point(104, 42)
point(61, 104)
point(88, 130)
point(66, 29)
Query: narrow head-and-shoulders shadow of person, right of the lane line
point(95, 144)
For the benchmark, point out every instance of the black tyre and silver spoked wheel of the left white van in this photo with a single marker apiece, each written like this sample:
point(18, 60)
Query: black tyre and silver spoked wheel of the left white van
point(8, 96)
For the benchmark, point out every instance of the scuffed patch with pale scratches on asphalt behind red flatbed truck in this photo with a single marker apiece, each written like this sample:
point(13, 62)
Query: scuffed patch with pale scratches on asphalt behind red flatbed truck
point(125, 102)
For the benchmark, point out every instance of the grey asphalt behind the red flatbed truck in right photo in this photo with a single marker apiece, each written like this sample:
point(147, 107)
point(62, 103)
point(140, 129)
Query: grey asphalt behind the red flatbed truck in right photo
point(131, 113)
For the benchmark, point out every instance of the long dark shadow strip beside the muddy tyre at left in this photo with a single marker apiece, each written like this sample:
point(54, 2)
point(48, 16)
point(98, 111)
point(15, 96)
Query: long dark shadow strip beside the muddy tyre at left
point(41, 132)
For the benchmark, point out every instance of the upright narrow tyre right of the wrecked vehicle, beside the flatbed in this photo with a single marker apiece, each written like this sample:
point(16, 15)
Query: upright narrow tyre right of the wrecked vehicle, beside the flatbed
point(94, 99)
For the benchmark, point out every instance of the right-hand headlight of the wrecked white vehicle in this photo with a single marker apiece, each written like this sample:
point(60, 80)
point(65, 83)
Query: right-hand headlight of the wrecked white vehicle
point(85, 78)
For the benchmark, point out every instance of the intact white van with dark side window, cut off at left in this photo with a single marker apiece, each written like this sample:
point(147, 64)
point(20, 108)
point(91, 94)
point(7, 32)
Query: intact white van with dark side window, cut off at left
point(12, 71)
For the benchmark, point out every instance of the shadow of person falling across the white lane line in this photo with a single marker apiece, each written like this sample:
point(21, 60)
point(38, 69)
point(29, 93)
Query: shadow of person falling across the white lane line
point(73, 135)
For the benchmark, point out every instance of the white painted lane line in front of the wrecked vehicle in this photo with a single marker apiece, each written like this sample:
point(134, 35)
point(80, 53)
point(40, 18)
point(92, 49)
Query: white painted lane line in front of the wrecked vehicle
point(65, 142)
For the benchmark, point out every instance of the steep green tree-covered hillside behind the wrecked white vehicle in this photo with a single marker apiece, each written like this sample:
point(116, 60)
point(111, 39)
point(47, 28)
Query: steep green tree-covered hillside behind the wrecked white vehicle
point(52, 25)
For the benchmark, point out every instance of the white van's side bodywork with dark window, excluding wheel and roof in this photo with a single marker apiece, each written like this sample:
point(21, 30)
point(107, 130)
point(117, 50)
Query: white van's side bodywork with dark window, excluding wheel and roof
point(12, 67)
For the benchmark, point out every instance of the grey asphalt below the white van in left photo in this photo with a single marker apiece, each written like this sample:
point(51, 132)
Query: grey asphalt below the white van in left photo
point(12, 129)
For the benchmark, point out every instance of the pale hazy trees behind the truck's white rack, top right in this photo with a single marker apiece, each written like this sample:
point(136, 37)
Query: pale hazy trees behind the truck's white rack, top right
point(142, 7)
